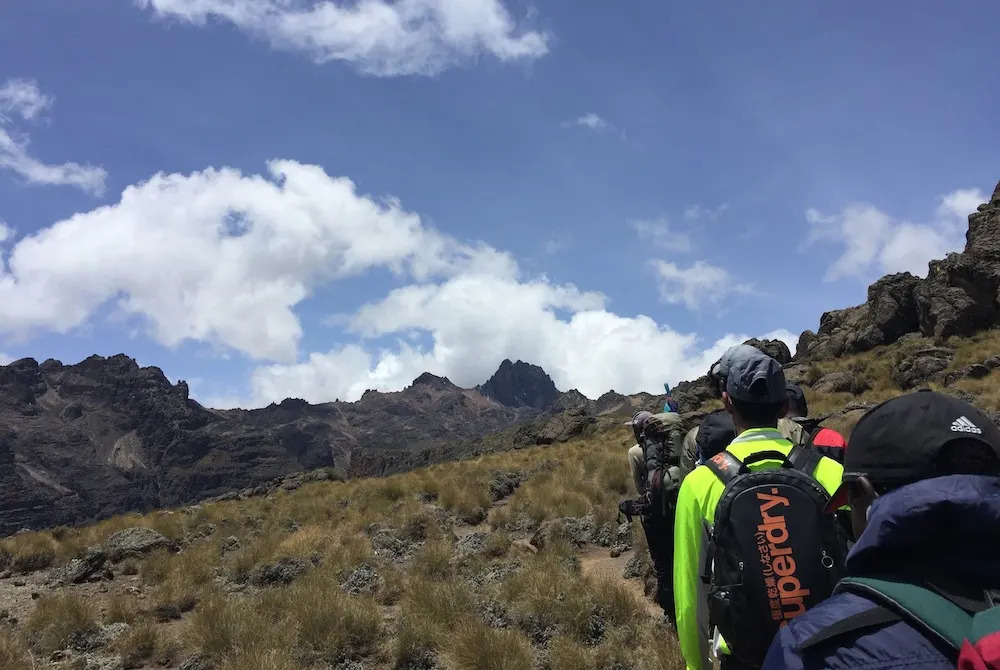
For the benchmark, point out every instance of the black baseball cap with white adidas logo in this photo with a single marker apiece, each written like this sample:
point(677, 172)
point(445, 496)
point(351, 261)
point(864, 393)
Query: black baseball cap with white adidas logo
point(898, 441)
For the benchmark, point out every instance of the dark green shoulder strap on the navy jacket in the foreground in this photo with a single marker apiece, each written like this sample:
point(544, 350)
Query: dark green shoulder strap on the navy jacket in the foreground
point(934, 615)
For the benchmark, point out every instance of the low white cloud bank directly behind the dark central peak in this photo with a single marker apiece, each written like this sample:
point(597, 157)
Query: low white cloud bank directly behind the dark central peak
point(475, 322)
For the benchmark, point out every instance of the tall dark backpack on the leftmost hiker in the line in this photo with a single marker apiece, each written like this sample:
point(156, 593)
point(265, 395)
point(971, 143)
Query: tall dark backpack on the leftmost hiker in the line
point(662, 435)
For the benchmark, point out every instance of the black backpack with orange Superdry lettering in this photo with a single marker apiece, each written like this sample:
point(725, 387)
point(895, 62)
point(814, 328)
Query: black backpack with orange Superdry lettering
point(774, 553)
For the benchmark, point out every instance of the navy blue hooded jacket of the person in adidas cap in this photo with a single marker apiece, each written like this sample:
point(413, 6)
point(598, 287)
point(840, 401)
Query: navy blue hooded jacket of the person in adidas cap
point(943, 526)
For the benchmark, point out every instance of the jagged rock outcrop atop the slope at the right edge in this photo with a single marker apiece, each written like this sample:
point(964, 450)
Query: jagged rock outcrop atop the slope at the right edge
point(958, 297)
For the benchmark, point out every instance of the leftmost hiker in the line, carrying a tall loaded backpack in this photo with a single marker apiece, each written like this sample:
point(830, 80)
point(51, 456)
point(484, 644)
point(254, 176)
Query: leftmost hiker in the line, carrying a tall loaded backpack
point(654, 461)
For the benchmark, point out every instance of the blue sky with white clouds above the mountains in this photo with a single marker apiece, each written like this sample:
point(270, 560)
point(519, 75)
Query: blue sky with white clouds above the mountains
point(612, 193)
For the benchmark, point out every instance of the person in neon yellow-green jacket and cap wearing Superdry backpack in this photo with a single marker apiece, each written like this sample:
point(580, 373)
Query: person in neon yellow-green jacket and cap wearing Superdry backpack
point(713, 541)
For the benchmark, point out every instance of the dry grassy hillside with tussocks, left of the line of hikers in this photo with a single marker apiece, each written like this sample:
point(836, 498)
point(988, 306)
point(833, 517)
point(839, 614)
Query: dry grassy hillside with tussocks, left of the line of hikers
point(434, 568)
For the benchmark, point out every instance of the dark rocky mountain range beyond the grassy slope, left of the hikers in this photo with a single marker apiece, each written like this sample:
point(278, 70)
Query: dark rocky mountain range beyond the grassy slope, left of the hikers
point(105, 436)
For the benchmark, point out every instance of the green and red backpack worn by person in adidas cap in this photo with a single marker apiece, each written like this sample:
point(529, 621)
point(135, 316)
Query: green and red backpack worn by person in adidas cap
point(970, 629)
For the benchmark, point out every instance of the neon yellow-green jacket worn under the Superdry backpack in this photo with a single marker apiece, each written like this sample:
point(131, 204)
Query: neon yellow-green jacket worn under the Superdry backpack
point(699, 494)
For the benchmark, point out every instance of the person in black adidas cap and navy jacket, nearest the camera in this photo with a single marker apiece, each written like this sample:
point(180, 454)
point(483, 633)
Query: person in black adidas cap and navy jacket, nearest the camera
point(922, 475)
